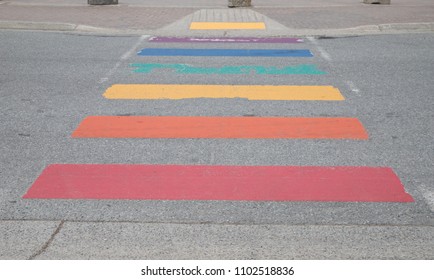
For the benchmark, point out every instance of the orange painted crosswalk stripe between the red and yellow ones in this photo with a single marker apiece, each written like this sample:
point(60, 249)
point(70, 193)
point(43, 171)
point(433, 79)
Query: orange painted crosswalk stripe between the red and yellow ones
point(219, 127)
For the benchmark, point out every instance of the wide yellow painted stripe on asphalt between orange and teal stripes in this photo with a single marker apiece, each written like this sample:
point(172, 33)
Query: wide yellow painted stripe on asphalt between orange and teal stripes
point(266, 92)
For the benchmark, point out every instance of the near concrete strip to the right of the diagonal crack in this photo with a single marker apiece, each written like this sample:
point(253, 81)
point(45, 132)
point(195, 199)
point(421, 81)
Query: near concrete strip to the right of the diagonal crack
point(168, 241)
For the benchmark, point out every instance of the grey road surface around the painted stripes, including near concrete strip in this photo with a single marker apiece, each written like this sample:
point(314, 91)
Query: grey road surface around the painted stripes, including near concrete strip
point(51, 81)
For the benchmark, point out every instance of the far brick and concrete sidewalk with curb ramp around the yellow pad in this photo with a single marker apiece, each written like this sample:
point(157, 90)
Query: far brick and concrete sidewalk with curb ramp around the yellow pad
point(170, 17)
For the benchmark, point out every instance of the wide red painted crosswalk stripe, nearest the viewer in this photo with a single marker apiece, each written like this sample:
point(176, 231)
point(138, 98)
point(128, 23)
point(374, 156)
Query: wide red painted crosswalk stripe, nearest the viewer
point(174, 182)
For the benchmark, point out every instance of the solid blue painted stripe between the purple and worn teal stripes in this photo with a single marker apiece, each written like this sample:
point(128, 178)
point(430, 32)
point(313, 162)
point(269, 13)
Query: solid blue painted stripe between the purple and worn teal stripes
point(226, 52)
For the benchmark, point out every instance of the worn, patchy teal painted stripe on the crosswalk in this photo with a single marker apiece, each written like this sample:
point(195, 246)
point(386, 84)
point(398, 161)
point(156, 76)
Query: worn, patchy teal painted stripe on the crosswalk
point(303, 69)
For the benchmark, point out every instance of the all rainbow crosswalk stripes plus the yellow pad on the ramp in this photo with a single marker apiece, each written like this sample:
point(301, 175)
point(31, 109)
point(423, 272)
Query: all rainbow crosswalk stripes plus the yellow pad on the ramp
point(199, 182)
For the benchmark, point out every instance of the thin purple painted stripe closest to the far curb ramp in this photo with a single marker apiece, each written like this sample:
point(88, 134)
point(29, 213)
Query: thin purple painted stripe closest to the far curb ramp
point(224, 40)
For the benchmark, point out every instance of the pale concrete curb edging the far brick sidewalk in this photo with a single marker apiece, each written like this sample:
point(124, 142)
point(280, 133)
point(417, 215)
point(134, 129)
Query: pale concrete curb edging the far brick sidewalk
point(394, 28)
